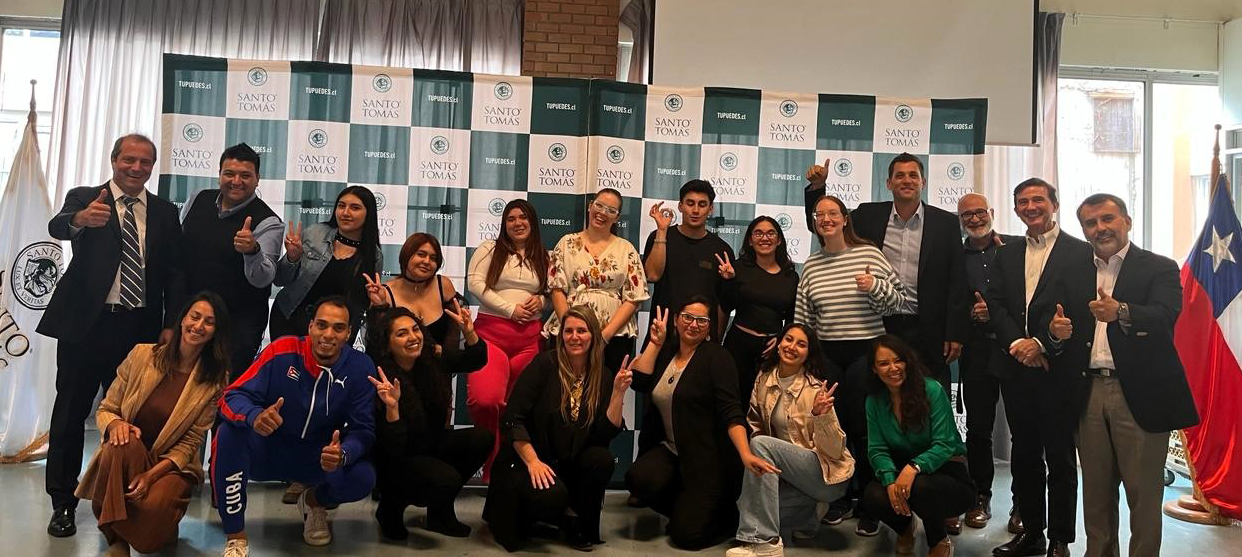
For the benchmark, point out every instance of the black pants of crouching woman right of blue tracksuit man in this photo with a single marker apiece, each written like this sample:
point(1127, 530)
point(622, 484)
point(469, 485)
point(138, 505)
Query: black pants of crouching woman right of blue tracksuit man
point(434, 481)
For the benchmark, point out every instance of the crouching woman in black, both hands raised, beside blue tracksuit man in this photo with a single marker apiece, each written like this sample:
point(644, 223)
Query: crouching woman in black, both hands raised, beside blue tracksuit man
point(419, 459)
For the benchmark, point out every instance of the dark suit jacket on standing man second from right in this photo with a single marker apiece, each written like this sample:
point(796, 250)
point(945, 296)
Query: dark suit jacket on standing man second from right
point(1065, 273)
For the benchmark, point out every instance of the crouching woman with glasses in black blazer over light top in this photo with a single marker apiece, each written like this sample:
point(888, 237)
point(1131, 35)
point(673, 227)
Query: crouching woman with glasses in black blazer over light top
point(691, 474)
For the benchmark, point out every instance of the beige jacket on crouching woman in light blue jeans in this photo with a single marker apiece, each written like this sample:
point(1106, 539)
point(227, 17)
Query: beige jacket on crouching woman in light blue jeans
point(819, 433)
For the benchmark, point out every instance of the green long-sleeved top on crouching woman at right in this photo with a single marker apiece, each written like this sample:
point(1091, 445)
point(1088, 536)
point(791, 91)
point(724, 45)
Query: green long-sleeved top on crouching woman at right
point(930, 448)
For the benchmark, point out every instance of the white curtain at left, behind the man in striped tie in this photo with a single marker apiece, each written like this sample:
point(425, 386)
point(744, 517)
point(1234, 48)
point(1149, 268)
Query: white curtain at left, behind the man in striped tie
point(110, 76)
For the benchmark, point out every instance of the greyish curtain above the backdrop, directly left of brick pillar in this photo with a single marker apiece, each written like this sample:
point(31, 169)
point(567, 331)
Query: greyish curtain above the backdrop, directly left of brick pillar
point(483, 37)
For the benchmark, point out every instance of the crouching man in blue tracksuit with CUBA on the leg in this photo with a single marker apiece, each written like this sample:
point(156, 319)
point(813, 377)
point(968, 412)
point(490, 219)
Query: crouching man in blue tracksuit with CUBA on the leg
point(304, 412)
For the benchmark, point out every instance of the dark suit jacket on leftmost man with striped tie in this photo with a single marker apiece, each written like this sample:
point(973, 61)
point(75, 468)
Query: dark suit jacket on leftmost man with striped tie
point(80, 295)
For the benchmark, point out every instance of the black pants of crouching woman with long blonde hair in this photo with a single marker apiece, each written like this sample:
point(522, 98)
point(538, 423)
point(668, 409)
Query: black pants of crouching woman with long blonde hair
point(514, 505)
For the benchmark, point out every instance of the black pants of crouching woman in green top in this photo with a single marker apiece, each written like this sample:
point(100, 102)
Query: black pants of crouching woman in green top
point(935, 498)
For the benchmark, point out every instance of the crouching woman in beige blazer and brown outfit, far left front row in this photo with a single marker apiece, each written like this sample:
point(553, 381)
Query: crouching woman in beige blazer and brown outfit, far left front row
point(153, 422)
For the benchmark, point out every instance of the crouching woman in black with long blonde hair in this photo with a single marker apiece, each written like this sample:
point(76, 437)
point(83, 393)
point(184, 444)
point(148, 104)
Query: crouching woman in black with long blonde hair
point(564, 412)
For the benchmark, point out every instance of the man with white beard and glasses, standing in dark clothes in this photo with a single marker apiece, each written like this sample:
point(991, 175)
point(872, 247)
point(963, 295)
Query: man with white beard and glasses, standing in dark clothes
point(979, 384)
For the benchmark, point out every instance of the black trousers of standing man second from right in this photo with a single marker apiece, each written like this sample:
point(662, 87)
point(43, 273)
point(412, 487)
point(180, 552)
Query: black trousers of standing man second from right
point(1043, 423)
